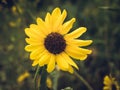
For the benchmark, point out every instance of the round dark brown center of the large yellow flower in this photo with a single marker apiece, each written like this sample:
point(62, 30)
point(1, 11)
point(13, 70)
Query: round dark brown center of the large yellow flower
point(55, 43)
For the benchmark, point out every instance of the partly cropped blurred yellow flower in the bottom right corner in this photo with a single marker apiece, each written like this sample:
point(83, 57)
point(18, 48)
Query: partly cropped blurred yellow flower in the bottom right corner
point(110, 83)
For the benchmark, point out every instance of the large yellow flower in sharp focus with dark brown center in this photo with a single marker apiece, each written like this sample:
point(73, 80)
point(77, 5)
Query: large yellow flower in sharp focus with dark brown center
point(51, 44)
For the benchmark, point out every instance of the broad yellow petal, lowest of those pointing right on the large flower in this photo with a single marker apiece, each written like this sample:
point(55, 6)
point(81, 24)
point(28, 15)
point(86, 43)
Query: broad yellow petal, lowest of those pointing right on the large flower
point(75, 52)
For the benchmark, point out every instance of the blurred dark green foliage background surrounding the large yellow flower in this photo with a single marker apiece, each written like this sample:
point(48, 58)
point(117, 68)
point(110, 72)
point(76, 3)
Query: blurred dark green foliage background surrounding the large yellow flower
point(101, 17)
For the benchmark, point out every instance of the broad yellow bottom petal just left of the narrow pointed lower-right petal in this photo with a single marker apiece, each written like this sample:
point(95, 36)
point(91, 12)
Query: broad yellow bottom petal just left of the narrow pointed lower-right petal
point(62, 64)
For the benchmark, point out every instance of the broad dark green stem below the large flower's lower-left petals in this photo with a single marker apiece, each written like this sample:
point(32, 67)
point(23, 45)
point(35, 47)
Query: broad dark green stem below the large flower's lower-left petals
point(43, 85)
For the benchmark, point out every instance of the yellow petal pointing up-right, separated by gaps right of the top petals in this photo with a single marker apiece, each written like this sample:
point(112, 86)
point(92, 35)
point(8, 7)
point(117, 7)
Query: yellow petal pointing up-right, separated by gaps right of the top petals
point(67, 26)
